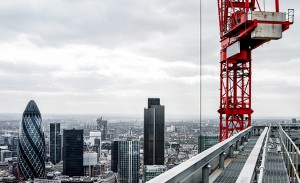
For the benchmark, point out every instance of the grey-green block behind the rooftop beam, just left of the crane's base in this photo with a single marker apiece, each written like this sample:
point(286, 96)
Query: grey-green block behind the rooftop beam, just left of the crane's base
point(207, 141)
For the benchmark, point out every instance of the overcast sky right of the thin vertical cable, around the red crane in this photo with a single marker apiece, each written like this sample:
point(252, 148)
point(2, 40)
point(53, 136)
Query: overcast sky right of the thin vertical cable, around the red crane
point(276, 66)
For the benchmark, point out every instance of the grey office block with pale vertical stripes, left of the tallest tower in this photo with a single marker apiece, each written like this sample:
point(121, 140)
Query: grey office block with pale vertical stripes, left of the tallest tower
point(128, 161)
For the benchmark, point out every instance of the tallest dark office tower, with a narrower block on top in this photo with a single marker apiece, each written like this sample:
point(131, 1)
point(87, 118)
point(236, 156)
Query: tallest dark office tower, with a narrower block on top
point(154, 125)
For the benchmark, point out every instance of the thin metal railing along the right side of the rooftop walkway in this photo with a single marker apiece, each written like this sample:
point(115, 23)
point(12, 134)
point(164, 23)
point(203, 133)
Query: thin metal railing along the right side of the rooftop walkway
point(291, 155)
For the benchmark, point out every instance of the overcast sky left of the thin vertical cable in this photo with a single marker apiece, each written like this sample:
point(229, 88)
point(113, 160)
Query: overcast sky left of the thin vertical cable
point(100, 56)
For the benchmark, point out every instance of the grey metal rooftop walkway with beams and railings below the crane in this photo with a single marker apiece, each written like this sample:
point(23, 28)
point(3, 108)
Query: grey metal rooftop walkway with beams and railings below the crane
point(268, 149)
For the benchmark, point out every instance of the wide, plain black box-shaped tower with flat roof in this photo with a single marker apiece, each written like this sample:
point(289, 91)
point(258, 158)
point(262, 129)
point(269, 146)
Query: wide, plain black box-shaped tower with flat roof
point(73, 152)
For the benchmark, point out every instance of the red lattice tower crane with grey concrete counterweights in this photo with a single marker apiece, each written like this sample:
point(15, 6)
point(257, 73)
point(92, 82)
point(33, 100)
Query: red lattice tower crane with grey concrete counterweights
point(243, 28)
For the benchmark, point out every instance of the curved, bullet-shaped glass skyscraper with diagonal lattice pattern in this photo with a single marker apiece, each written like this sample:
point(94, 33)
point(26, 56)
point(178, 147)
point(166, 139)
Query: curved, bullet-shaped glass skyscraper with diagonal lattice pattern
point(31, 144)
